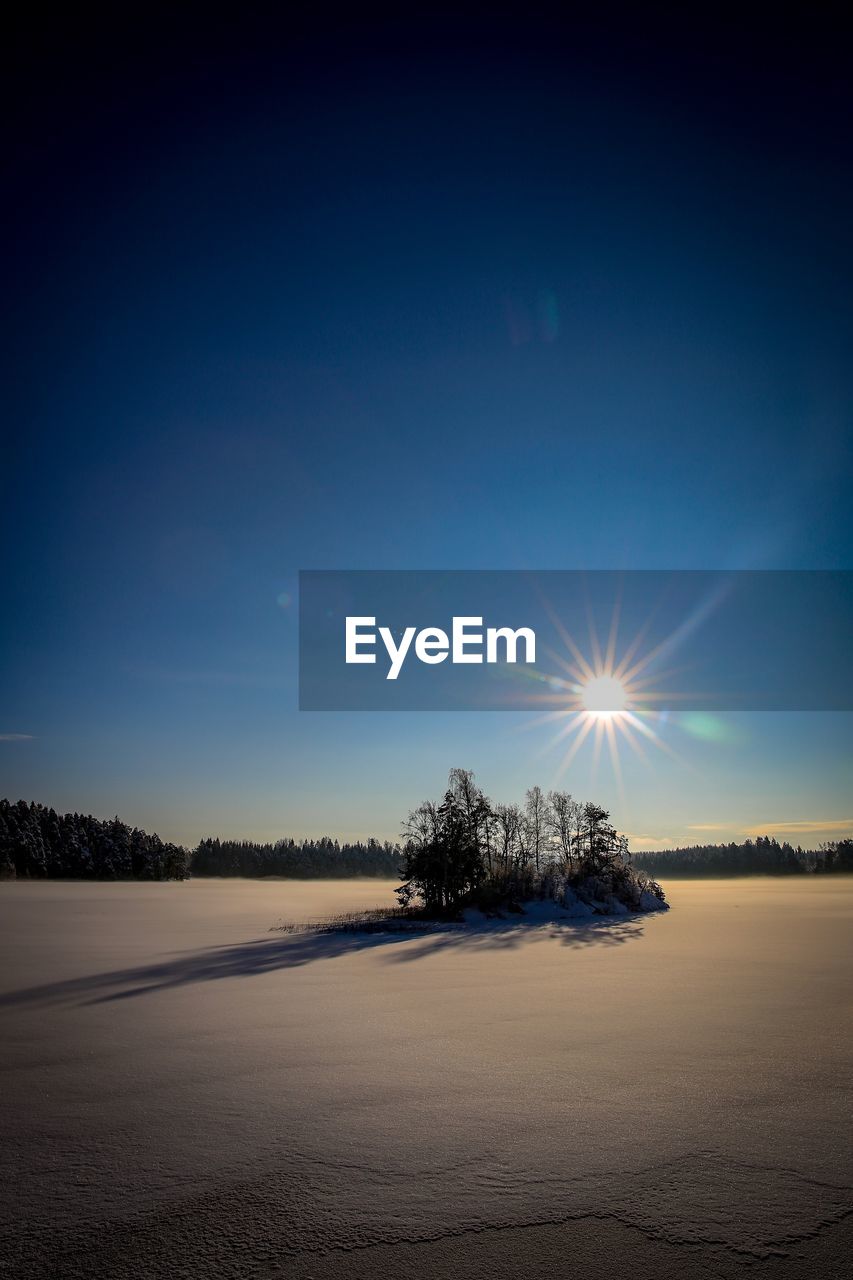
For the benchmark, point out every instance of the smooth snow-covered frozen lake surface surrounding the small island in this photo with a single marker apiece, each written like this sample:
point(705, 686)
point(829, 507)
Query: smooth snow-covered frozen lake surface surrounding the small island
point(186, 1094)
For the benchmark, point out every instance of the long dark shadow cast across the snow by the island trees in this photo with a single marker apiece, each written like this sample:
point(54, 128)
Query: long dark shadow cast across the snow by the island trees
point(298, 949)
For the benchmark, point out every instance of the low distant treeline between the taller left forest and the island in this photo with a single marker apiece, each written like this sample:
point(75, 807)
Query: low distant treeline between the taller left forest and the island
point(303, 860)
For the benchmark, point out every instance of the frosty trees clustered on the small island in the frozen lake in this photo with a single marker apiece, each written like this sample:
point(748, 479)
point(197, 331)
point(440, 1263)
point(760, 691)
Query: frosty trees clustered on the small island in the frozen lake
point(468, 851)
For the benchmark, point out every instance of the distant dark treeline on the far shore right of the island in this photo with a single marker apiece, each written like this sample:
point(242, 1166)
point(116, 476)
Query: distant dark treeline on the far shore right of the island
point(761, 857)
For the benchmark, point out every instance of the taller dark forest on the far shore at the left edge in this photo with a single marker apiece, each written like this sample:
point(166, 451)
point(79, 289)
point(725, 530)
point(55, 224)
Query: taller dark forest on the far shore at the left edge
point(39, 843)
